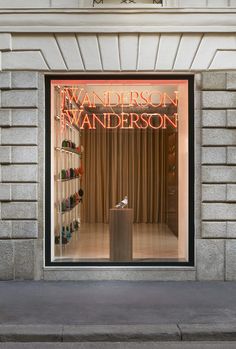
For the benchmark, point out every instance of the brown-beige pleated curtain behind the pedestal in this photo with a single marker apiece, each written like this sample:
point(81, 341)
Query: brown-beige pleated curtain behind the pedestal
point(124, 162)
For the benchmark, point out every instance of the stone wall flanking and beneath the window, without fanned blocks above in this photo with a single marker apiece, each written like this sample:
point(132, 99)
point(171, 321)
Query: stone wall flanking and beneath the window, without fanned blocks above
point(22, 119)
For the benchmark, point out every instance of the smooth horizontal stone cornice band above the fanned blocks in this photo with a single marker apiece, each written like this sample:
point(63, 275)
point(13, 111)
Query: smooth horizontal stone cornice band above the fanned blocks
point(118, 20)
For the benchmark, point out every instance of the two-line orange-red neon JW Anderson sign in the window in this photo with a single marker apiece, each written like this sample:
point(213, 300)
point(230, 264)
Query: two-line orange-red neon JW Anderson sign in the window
point(89, 110)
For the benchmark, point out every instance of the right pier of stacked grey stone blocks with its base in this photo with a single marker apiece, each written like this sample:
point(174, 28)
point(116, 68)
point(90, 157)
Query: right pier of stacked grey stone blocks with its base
point(216, 250)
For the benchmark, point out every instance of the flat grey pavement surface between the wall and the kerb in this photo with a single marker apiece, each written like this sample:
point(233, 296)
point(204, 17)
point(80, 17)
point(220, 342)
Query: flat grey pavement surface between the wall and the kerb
point(117, 302)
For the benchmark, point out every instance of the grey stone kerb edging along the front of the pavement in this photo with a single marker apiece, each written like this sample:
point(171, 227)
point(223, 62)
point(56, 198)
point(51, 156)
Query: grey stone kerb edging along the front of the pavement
point(119, 333)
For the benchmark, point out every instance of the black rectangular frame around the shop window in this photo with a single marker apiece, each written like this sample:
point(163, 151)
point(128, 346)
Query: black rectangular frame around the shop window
point(191, 162)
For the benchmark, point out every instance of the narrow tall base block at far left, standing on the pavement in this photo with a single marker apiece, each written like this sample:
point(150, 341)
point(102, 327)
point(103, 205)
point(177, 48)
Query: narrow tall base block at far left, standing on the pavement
point(6, 260)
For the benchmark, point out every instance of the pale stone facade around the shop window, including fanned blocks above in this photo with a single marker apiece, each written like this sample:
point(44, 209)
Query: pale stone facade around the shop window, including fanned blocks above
point(26, 58)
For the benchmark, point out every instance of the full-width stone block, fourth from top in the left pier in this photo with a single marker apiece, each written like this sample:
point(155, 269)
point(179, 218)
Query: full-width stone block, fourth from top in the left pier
point(20, 135)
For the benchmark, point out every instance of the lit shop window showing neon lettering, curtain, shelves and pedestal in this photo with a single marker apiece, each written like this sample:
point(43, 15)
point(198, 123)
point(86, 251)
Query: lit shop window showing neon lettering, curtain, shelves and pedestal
point(119, 171)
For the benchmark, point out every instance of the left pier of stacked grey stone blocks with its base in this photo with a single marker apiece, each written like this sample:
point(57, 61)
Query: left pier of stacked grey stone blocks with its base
point(19, 174)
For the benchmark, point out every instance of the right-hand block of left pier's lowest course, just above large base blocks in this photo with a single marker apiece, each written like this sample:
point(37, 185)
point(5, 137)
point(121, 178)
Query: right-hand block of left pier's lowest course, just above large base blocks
point(24, 229)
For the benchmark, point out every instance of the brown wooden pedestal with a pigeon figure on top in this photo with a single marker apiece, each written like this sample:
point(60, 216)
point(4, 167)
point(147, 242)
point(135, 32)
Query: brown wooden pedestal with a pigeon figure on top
point(121, 240)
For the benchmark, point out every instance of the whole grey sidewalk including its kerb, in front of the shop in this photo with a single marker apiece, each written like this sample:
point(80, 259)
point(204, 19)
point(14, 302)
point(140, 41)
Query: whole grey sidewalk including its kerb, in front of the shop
point(117, 311)
